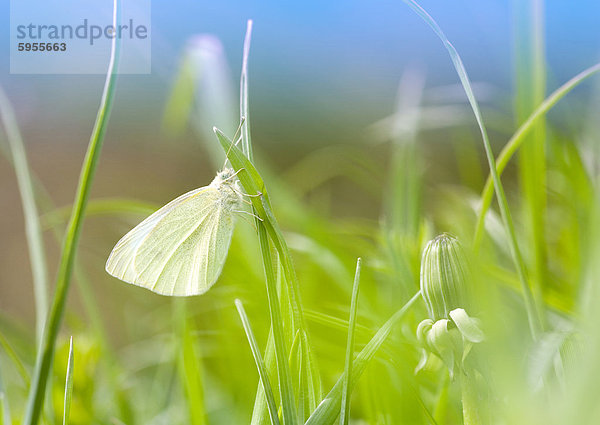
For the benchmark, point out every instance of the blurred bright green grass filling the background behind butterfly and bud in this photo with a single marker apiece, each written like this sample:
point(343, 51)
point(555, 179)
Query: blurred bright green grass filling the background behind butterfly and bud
point(189, 361)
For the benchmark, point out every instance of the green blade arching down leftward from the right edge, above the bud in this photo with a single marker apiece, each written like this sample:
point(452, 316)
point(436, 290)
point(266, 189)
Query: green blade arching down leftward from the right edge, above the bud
point(519, 137)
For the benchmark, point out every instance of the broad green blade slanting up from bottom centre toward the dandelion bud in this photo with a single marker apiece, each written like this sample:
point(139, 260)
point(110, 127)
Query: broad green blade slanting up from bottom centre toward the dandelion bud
point(329, 408)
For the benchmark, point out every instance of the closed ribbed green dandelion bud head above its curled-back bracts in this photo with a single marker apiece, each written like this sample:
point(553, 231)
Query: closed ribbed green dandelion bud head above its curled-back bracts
point(444, 276)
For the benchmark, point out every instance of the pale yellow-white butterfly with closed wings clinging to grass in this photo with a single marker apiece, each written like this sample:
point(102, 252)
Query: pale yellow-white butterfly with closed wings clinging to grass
point(181, 248)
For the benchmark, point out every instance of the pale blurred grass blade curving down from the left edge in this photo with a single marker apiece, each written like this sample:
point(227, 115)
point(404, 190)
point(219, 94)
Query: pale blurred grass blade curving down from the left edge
point(33, 231)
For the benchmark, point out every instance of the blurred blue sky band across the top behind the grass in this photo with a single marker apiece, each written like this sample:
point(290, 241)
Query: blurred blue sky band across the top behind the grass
point(315, 62)
